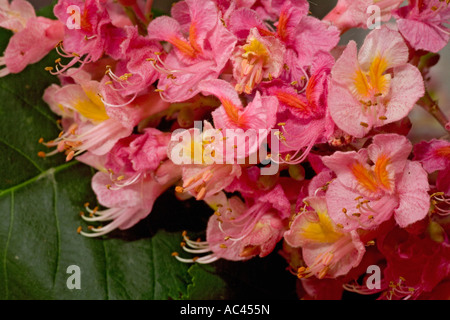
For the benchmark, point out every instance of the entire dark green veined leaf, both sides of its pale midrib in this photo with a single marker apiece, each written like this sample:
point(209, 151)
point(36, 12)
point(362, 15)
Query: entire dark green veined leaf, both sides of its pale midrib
point(40, 201)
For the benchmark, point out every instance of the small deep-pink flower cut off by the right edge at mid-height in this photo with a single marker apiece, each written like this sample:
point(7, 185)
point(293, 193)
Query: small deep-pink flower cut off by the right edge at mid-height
point(434, 156)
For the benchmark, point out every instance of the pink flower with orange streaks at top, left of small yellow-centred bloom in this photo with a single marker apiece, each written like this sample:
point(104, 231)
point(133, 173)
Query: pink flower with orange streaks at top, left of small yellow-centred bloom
point(202, 55)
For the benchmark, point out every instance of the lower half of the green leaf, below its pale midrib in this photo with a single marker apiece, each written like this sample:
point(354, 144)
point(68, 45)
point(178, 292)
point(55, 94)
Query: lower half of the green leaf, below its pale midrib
point(39, 242)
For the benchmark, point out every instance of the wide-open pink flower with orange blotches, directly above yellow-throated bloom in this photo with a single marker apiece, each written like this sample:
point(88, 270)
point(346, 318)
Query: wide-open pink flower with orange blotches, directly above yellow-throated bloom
point(376, 183)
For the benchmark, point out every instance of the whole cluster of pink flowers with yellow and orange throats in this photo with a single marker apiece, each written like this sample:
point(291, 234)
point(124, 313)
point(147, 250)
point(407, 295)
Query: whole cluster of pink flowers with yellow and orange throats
point(297, 141)
